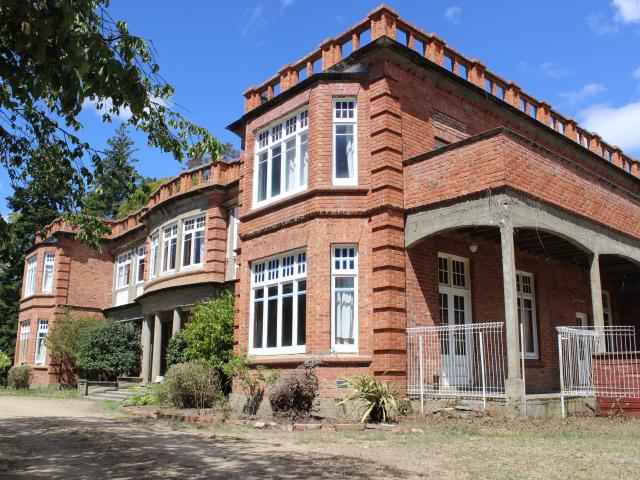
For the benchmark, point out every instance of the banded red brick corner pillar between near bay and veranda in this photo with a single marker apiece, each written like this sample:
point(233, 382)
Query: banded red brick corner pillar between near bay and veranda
point(387, 231)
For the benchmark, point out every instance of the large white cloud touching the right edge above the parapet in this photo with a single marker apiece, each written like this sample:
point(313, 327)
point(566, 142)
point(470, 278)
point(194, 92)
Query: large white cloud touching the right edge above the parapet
point(617, 125)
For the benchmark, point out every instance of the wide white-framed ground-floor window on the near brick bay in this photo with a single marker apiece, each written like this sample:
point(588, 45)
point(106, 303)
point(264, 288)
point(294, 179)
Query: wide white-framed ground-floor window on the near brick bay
point(274, 272)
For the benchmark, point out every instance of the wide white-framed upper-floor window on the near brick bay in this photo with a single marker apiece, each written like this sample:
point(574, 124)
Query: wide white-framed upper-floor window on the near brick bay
point(278, 134)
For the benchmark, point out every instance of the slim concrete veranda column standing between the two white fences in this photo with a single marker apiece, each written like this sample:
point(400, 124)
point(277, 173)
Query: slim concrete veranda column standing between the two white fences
point(514, 385)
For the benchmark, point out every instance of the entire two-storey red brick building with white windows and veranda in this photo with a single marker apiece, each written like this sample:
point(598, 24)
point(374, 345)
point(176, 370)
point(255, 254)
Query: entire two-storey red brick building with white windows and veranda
point(386, 182)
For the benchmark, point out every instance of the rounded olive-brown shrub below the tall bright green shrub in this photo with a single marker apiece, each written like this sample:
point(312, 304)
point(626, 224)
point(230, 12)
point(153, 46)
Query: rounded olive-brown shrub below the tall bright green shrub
point(193, 385)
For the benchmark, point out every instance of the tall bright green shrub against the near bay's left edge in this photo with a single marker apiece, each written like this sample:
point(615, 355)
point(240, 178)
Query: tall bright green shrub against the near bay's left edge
point(209, 333)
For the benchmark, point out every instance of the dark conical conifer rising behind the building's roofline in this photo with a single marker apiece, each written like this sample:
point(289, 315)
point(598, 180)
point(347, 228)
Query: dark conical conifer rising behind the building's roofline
point(118, 178)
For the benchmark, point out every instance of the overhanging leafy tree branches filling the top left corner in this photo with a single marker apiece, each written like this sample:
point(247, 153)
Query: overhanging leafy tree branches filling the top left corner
point(55, 57)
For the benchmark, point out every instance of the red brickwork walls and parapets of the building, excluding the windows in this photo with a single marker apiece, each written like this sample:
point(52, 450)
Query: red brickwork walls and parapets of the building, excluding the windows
point(408, 104)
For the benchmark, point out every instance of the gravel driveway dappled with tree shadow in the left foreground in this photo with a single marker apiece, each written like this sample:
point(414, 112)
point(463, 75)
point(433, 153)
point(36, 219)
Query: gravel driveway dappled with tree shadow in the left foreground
point(121, 448)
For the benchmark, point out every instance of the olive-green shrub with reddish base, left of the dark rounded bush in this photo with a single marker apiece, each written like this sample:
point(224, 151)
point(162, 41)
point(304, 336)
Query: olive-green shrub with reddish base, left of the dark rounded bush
point(63, 342)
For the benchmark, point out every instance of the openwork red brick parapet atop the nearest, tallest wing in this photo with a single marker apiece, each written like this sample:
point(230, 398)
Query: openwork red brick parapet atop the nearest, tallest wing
point(384, 21)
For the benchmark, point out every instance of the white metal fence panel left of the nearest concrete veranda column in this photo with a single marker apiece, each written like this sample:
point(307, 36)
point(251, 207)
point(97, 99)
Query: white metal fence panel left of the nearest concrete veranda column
point(456, 361)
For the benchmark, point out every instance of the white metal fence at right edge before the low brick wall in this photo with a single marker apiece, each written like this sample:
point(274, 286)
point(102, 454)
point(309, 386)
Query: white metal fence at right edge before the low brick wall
point(598, 362)
